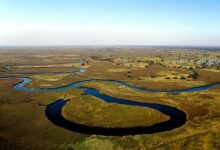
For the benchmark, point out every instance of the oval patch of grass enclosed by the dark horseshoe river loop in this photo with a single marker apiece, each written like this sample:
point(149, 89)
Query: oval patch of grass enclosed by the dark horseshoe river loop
point(92, 111)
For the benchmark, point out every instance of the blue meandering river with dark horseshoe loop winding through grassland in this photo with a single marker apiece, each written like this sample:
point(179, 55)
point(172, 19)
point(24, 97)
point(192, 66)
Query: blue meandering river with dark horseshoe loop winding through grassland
point(53, 111)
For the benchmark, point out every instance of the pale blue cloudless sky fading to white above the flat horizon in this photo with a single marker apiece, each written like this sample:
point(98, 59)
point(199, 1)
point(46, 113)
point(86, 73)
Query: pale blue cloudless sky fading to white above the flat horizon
point(110, 22)
